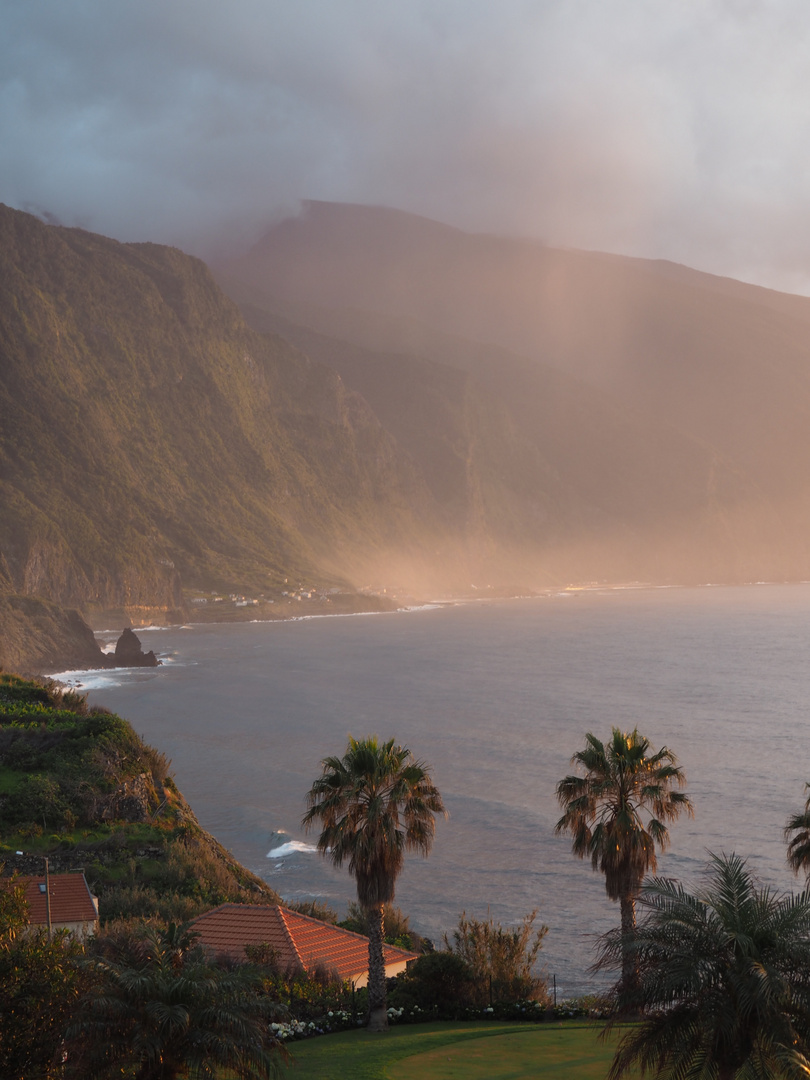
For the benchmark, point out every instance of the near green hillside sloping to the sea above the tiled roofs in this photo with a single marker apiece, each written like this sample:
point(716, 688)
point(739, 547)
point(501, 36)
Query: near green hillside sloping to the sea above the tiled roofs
point(79, 786)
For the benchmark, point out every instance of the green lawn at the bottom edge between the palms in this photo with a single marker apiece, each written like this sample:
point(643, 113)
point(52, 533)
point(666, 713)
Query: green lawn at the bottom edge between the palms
point(465, 1051)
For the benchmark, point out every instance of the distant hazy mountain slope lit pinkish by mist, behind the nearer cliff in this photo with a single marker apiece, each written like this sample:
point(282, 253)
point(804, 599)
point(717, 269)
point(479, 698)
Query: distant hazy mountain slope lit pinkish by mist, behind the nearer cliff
point(668, 406)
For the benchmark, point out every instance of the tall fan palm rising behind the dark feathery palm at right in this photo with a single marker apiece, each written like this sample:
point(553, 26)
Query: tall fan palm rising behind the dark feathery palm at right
point(617, 813)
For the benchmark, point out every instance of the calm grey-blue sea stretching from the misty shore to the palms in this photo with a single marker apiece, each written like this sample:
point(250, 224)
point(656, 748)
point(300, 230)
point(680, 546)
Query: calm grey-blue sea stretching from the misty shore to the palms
point(496, 698)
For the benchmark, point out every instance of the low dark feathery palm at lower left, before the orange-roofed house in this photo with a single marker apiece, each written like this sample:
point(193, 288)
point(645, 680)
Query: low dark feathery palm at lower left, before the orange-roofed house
point(173, 1016)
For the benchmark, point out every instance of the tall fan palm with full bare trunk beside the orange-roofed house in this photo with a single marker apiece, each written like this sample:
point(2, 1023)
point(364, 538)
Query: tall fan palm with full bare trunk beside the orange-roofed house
point(374, 804)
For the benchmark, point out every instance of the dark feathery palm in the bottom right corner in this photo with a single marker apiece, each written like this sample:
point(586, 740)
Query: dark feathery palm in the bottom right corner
point(724, 981)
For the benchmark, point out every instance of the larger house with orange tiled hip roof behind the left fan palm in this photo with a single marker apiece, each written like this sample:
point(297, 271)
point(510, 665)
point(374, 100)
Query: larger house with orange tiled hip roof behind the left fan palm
point(299, 941)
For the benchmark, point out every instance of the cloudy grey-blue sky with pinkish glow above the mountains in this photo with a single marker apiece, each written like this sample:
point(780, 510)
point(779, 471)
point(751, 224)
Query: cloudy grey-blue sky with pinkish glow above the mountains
point(677, 131)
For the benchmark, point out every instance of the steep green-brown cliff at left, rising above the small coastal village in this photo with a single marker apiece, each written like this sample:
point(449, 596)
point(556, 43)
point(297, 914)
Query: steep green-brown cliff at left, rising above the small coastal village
point(152, 443)
